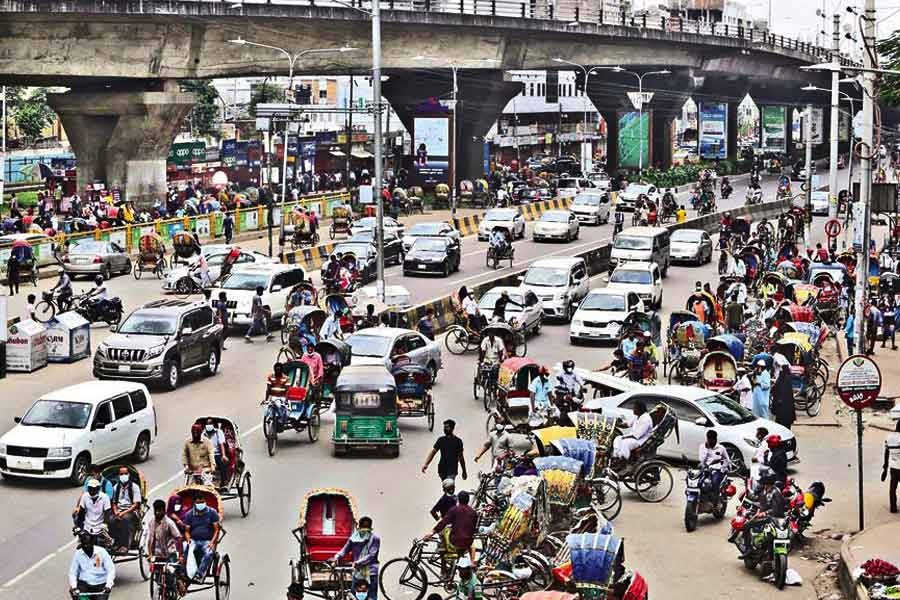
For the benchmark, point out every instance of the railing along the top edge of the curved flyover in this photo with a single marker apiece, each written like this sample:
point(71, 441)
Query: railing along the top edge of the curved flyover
point(592, 12)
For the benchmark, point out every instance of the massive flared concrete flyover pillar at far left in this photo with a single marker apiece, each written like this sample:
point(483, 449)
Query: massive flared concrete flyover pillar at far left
point(122, 137)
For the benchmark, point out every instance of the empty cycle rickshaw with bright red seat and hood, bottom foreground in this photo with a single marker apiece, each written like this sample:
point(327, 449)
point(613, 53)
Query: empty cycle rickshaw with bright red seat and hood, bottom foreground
point(328, 518)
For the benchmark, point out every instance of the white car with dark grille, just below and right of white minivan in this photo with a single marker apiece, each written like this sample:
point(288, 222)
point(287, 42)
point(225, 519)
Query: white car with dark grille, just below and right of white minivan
point(600, 315)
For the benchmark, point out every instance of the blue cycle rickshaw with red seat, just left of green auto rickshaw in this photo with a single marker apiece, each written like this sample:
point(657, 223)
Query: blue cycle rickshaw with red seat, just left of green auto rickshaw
point(295, 407)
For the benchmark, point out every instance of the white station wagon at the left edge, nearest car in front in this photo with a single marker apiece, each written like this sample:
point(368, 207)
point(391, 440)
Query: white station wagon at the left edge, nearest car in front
point(67, 430)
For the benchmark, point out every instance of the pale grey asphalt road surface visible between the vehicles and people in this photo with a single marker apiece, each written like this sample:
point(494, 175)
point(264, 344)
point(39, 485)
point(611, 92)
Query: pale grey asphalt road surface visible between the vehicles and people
point(35, 531)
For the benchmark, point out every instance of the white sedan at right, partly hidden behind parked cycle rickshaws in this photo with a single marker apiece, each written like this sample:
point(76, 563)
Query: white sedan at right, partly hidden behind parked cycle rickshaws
point(698, 410)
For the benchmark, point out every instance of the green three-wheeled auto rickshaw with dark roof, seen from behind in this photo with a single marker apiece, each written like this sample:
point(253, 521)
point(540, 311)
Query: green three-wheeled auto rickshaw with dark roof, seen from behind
point(366, 410)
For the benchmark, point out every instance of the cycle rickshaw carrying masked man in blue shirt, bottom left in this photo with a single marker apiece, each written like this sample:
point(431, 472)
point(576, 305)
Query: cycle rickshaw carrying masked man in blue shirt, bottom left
point(218, 575)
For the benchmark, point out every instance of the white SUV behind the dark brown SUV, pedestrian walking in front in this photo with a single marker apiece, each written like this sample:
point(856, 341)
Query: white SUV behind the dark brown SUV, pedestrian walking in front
point(240, 287)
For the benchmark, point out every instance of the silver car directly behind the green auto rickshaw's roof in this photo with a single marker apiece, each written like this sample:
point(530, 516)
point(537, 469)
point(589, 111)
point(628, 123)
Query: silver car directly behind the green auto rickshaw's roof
point(381, 345)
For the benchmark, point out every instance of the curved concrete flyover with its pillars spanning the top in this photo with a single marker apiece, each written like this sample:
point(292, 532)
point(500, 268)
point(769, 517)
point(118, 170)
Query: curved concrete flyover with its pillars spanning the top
point(121, 57)
